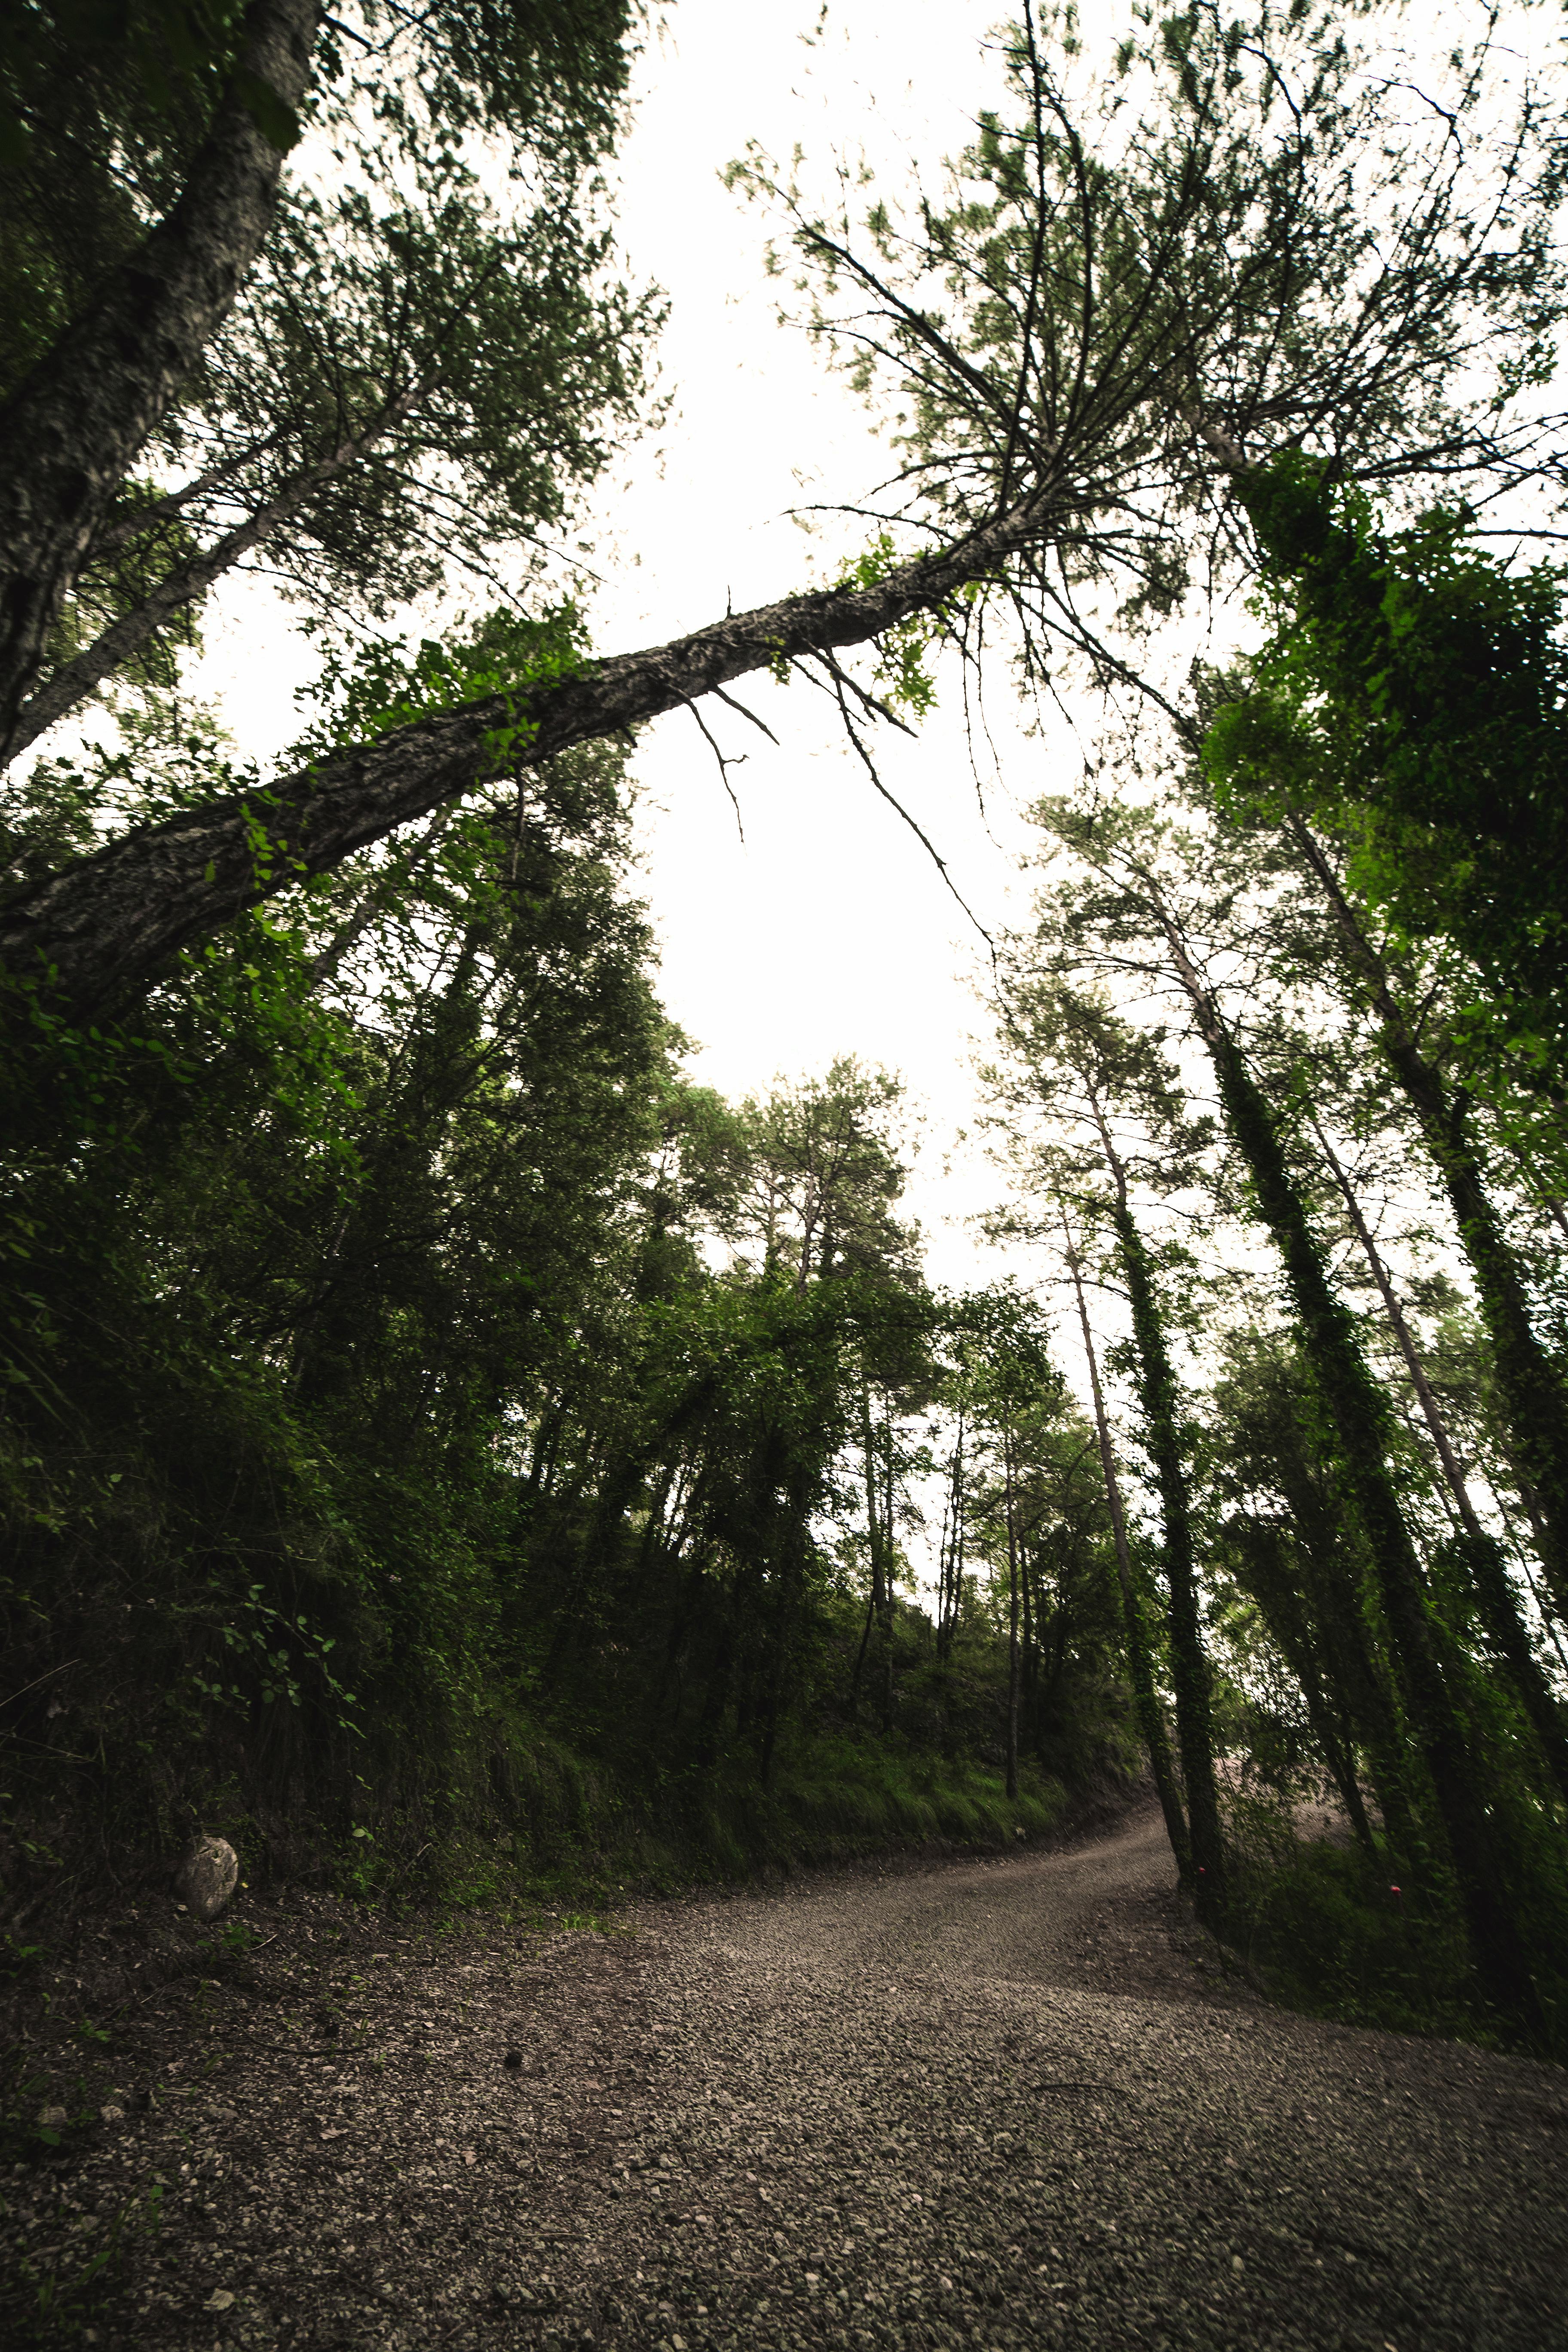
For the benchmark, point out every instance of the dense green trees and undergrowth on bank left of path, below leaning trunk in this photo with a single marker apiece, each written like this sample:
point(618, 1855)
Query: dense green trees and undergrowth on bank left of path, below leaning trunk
point(434, 1441)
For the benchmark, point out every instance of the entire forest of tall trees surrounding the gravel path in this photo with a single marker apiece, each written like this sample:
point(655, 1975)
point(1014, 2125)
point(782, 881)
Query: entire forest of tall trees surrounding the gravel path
point(450, 1450)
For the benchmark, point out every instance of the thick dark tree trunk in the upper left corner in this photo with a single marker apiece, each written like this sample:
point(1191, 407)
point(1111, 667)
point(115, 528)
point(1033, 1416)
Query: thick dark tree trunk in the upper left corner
point(74, 427)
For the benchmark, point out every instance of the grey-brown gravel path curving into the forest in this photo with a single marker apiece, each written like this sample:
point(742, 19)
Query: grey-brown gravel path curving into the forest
point(972, 2104)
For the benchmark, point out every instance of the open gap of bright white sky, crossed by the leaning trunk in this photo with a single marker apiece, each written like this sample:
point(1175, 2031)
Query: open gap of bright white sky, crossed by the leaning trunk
point(826, 930)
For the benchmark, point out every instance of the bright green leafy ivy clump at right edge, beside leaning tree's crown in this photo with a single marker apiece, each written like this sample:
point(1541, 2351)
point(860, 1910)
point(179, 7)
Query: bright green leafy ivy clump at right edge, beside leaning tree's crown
point(1412, 700)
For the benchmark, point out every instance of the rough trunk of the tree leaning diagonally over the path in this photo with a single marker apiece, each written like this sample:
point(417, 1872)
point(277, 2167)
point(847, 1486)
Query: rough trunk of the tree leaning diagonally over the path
point(107, 926)
